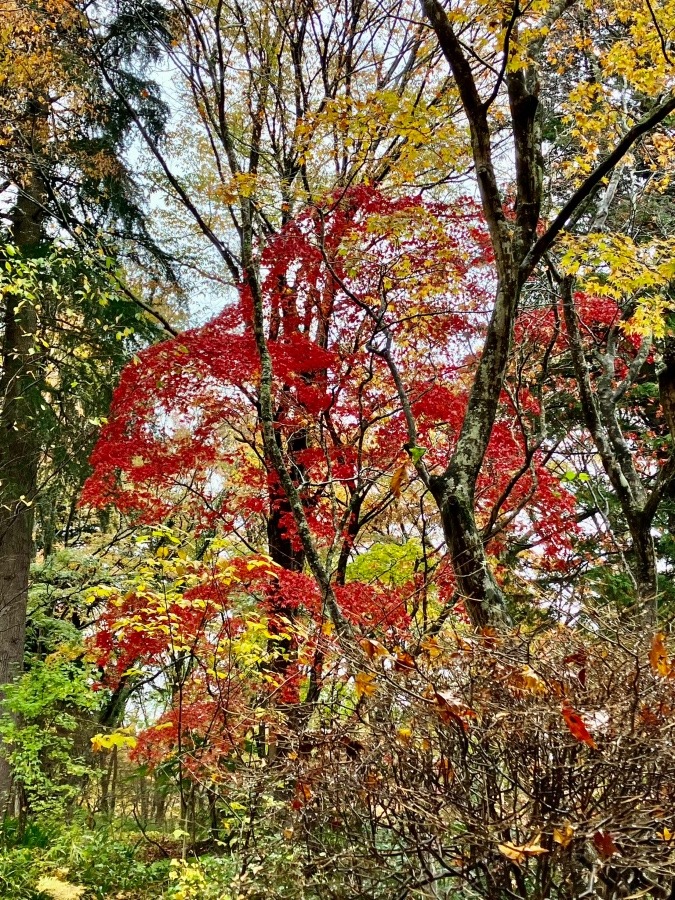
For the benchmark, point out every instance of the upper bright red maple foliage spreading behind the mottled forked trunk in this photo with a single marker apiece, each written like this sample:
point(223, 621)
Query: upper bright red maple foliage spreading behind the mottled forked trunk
point(183, 431)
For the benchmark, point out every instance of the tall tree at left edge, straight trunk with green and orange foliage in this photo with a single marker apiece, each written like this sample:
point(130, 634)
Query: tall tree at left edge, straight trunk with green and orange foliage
point(59, 164)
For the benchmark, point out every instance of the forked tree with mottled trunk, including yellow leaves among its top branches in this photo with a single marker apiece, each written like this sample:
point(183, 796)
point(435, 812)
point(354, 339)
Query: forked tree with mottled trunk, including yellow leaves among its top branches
point(507, 66)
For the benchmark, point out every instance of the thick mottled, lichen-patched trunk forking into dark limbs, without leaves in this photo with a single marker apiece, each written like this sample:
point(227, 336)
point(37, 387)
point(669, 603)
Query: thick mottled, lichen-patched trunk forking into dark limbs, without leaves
point(517, 251)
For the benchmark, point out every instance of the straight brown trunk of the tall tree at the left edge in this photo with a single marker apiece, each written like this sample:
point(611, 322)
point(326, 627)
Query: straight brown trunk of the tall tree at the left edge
point(19, 447)
